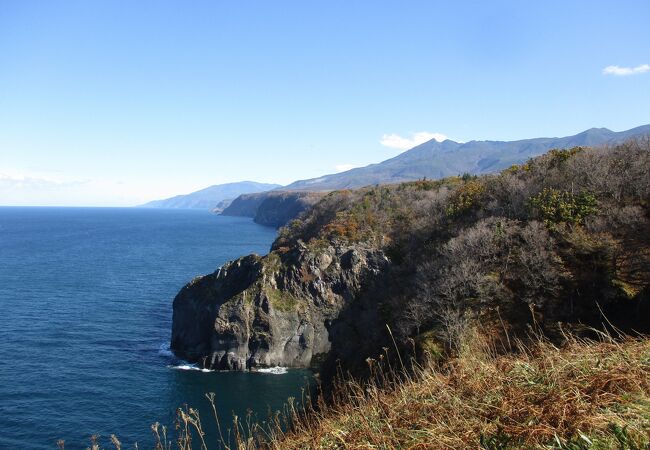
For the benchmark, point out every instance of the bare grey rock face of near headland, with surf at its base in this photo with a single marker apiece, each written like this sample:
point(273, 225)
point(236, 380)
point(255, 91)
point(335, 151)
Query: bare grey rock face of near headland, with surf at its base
point(284, 309)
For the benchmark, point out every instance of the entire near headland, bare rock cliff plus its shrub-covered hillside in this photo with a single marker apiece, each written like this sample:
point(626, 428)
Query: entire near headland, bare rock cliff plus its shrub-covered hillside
point(551, 245)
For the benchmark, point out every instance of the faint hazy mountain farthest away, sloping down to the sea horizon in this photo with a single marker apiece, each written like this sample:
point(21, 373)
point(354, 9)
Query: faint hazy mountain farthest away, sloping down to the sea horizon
point(216, 197)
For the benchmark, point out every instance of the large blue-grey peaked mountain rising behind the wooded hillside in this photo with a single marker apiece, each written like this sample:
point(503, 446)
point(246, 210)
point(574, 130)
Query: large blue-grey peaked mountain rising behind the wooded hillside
point(441, 159)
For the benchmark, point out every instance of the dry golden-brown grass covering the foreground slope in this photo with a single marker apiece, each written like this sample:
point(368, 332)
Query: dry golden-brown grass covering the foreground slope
point(585, 395)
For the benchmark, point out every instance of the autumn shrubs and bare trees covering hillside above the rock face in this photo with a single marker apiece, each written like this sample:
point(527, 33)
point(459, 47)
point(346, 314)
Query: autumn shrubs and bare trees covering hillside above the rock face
point(564, 235)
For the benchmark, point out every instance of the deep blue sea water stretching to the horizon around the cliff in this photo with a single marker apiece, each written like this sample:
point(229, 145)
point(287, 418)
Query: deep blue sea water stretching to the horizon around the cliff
point(85, 317)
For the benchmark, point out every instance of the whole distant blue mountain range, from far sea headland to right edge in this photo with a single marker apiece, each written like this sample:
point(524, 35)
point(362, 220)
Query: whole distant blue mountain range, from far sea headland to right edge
point(431, 160)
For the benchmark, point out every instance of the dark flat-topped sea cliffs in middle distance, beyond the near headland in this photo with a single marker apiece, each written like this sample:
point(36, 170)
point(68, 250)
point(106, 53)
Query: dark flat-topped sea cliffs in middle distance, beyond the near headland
point(273, 209)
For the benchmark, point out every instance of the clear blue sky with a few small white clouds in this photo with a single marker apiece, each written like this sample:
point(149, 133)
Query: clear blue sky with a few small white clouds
point(120, 102)
